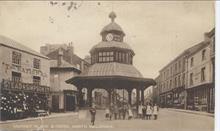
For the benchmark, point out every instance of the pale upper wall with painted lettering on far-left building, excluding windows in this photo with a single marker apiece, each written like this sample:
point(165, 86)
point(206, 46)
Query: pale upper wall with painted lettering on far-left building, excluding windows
point(26, 68)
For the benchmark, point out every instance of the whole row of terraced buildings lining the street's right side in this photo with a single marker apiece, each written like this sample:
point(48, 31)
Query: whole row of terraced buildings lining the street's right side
point(188, 81)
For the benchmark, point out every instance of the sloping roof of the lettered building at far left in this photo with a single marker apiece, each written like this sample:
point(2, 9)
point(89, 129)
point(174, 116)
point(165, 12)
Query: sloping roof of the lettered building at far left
point(16, 45)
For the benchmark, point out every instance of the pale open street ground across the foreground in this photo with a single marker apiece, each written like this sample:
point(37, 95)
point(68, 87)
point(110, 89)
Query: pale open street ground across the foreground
point(168, 120)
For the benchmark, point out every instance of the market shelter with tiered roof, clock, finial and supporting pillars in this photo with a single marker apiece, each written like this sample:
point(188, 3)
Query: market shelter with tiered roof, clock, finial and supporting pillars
point(112, 67)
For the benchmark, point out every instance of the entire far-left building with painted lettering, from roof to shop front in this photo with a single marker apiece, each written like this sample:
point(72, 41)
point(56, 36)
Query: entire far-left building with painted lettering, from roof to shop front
point(24, 78)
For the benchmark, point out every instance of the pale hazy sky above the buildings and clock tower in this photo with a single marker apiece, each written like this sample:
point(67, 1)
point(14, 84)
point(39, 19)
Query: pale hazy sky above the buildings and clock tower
point(157, 31)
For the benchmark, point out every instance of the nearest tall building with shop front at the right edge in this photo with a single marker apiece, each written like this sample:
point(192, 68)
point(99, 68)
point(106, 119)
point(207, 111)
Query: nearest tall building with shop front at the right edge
point(200, 79)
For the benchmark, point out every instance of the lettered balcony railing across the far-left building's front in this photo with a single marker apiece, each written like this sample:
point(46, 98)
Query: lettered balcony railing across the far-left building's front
point(11, 85)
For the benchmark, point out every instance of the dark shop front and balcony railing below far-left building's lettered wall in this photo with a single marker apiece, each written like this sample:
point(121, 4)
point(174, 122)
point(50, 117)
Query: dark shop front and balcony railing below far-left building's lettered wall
point(20, 100)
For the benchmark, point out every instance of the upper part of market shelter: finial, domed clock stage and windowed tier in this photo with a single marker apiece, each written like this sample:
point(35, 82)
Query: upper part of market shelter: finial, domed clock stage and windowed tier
point(112, 48)
